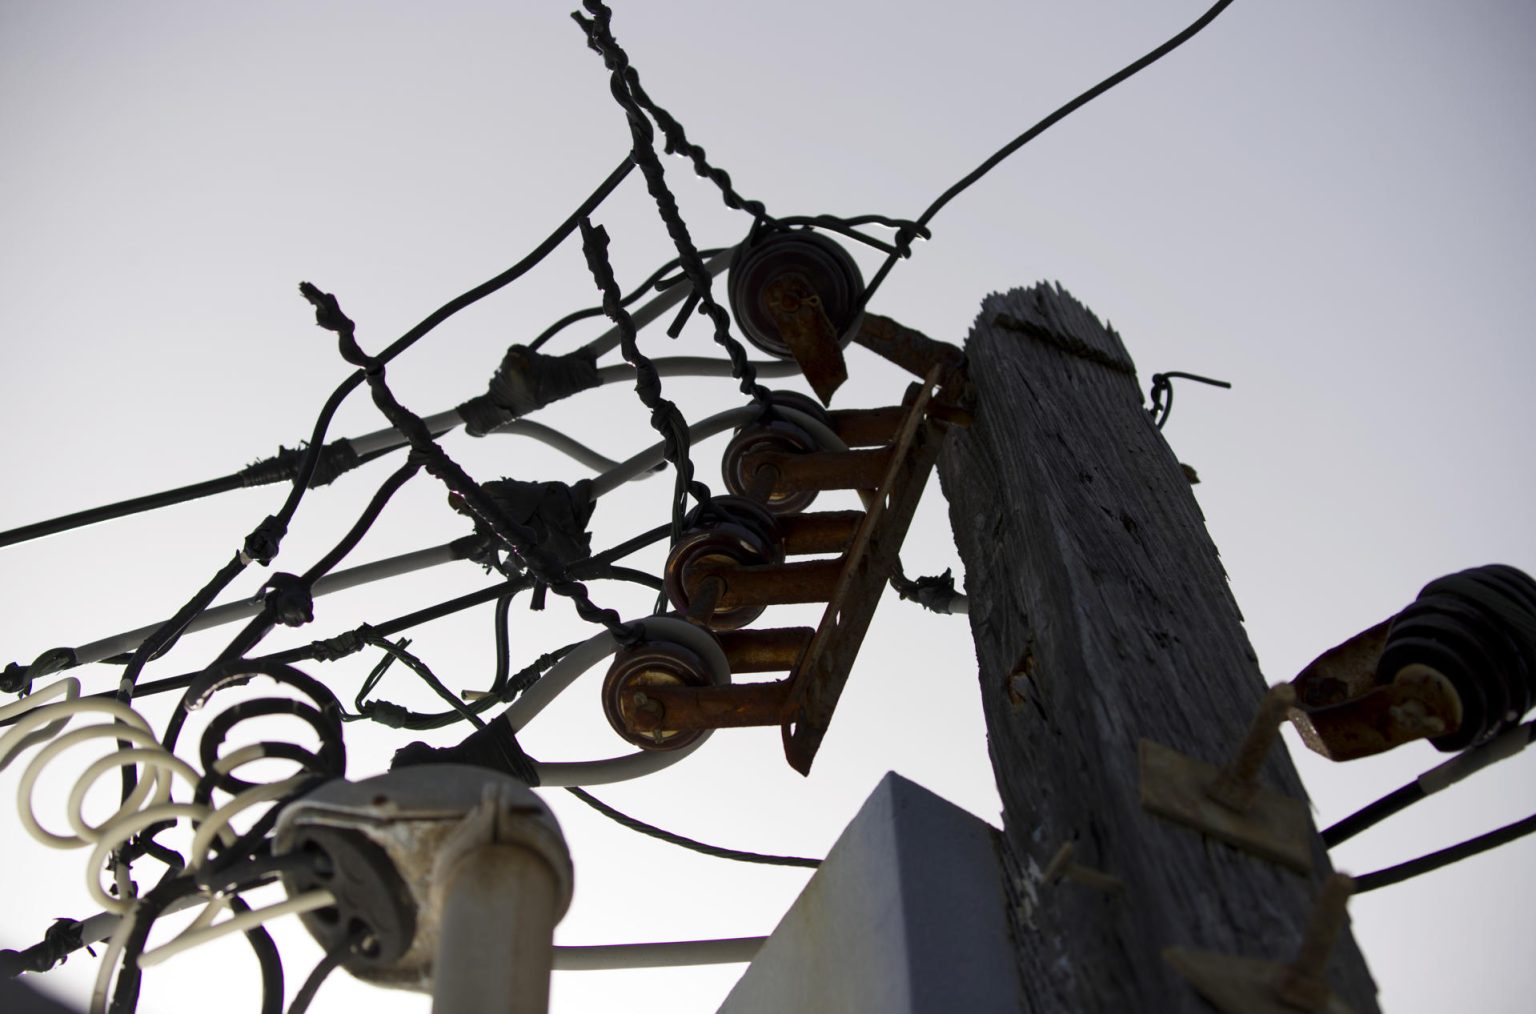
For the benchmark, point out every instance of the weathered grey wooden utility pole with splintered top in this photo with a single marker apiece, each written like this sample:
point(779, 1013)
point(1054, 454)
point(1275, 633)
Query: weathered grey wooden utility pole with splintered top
point(1102, 617)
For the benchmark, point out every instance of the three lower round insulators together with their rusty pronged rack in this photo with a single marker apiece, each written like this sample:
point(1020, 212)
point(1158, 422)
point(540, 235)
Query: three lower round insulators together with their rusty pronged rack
point(760, 548)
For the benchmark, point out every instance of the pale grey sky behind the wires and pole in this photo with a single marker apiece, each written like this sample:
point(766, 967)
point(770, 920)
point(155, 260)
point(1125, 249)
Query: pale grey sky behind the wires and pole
point(1328, 205)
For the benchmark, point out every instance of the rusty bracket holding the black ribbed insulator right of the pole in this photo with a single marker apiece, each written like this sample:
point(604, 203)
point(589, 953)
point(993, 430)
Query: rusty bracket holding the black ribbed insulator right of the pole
point(1345, 714)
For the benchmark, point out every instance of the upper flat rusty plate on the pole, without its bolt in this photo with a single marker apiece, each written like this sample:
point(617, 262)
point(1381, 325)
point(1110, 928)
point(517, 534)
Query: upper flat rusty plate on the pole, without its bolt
point(1274, 827)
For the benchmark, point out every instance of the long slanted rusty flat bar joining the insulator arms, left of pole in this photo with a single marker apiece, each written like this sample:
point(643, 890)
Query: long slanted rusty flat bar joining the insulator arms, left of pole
point(819, 680)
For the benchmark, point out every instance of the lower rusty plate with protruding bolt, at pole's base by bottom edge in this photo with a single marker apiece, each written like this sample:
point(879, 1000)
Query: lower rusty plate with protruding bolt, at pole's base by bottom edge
point(1245, 986)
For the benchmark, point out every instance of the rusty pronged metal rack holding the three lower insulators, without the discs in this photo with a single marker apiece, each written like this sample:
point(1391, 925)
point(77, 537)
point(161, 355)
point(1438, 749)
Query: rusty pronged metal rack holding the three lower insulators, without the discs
point(898, 449)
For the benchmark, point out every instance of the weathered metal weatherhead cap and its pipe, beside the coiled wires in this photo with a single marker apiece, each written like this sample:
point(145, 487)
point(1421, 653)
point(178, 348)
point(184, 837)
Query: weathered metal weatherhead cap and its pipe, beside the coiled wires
point(448, 880)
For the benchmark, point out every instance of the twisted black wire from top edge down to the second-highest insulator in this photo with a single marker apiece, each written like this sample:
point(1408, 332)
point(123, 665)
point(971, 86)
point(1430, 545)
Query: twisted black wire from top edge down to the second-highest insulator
point(644, 154)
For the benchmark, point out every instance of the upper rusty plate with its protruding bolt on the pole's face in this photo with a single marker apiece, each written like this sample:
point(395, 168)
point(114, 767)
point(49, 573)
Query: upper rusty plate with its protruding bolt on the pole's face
point(1228, 804)
